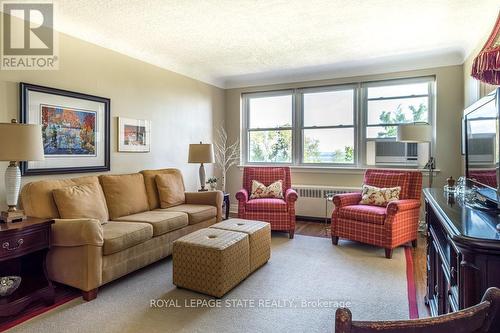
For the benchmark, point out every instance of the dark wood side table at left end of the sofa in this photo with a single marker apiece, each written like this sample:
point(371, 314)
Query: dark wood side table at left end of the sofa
point(23, 248)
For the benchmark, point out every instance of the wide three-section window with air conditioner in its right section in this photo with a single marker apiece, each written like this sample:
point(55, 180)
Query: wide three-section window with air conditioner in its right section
point(342, 125)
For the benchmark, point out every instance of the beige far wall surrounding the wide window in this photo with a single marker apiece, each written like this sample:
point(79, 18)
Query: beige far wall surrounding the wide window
point(449, 106)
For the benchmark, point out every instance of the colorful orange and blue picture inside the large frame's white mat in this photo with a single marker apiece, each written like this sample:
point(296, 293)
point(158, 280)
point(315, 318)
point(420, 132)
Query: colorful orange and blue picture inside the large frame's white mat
point(67, 131)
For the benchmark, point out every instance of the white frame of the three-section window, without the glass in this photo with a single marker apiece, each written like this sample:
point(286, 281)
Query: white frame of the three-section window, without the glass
point(360, 119)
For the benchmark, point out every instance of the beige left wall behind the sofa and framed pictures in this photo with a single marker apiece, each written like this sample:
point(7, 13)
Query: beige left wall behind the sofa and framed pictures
point(182, 110)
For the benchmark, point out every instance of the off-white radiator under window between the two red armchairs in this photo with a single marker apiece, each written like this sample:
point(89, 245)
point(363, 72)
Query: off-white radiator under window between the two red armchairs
point(312, 203)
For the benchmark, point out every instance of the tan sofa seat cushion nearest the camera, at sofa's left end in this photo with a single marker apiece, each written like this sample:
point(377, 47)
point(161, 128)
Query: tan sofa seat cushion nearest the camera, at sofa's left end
point(119, 236)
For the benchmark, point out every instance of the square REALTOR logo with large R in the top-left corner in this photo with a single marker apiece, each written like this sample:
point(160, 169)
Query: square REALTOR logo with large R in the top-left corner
point(28, 36)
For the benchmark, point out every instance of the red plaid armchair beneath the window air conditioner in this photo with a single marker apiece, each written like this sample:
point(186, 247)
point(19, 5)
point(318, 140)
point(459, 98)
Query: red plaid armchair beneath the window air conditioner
point(387, 227)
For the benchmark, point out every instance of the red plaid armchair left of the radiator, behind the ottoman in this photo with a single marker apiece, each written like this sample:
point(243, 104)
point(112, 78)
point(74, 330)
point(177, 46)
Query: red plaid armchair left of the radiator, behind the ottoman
point(279, 212)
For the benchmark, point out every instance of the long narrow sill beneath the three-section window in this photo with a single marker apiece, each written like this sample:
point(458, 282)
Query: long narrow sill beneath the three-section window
point(340, 170)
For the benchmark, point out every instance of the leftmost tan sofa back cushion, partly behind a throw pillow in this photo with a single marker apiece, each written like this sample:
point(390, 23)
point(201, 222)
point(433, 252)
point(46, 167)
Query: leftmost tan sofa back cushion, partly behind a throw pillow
point(37, 199)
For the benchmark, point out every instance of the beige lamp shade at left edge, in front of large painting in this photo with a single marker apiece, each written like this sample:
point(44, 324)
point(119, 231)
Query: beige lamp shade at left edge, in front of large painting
point(20, 142)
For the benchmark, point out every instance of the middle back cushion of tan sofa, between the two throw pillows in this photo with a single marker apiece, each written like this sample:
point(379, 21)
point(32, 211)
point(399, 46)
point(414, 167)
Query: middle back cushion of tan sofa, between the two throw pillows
point(125, 194)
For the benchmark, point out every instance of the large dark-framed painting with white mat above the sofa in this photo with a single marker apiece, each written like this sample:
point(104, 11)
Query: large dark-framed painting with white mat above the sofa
point(75, 130)
